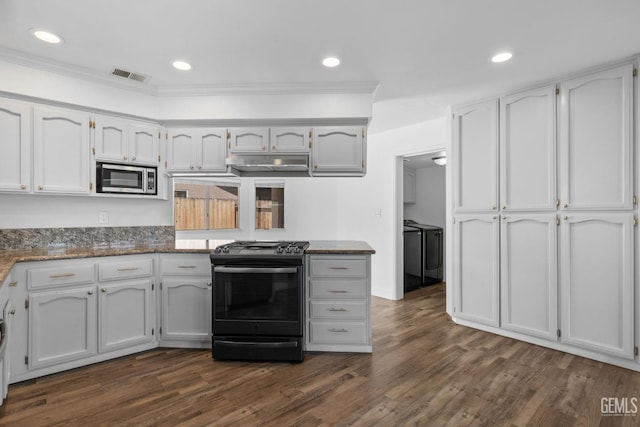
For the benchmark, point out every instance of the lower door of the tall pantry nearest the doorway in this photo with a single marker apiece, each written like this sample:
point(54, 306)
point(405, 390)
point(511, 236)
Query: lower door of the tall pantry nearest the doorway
point(476, 280)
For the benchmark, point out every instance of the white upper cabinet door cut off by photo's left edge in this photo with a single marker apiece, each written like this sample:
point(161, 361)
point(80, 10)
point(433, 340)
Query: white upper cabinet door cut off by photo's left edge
point(15, 146)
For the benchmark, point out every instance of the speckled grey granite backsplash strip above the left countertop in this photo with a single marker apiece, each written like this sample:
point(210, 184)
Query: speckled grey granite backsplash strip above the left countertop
point(37, 238)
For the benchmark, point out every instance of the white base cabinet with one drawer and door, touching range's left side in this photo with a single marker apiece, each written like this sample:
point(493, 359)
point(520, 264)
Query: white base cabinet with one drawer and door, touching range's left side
point(185, 300)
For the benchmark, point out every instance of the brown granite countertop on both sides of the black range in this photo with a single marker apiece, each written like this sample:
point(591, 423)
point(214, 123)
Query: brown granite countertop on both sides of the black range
point(9, 257)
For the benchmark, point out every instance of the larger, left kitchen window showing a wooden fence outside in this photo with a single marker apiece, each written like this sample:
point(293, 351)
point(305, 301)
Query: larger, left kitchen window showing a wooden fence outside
point(205, 205)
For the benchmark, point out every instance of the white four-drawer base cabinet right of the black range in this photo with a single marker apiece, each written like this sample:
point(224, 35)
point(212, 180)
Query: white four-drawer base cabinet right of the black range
point(338, 303)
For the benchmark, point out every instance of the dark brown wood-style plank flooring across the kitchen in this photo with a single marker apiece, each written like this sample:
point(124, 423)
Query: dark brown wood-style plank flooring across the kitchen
point(425, 371)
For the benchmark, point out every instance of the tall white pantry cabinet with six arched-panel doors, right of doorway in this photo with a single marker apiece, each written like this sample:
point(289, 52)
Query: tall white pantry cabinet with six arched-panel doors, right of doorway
point(553, 166)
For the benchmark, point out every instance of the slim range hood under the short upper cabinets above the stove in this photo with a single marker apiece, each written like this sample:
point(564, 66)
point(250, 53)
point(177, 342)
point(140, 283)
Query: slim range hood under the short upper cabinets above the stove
point(268, 165)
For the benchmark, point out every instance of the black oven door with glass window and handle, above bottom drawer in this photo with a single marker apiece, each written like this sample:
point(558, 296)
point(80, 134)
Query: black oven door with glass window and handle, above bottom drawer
point(258, 300)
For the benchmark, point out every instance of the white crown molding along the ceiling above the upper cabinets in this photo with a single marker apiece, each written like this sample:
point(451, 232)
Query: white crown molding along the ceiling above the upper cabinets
point(98, 76)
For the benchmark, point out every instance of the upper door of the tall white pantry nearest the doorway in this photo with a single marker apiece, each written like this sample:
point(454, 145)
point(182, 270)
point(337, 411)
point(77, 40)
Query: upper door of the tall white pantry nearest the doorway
point(475, 146)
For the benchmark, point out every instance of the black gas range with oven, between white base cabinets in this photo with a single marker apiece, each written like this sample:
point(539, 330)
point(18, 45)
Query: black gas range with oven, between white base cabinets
point(258, 300)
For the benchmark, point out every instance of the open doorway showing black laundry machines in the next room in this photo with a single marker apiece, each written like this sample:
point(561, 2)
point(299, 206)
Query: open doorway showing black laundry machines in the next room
point(422, 220)
